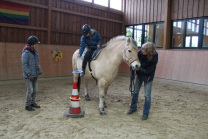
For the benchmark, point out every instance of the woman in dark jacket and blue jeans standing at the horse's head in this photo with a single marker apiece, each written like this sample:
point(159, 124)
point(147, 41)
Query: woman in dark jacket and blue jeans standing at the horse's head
point(148, 58)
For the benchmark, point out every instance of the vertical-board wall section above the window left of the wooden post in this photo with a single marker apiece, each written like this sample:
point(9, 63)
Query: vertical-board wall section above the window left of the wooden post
point(146, 11)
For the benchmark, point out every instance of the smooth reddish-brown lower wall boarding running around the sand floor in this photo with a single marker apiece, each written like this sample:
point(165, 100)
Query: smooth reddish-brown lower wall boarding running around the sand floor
point(182, 65)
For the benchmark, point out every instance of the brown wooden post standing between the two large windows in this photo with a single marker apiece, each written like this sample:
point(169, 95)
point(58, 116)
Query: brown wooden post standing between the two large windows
point(167, 25)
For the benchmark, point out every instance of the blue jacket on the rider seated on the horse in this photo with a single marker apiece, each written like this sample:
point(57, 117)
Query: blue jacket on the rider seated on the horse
point(91, 42)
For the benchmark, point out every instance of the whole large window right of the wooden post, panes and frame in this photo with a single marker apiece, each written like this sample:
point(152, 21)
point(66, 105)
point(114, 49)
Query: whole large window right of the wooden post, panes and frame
point(190, 33)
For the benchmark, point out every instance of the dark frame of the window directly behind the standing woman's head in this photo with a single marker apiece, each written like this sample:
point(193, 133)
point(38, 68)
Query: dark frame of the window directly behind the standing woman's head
point(143, 32)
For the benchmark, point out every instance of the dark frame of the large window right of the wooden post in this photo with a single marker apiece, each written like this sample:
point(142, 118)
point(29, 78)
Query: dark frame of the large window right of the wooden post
point(200, 30)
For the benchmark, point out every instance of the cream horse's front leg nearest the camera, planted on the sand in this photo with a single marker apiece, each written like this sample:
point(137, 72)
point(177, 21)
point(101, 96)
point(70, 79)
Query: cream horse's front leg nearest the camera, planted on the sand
point(101, 86)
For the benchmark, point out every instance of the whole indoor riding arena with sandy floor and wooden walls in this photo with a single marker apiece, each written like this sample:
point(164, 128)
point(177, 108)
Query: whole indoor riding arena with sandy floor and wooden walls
point(179, 96)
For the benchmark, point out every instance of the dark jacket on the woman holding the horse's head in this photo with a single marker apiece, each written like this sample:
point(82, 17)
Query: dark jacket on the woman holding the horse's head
point(147, 69)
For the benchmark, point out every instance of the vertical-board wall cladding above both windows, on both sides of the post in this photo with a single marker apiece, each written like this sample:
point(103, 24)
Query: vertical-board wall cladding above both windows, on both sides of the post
point(153, 10)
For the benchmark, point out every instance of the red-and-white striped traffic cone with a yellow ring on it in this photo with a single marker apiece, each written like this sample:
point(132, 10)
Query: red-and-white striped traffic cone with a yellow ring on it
point(75, 111)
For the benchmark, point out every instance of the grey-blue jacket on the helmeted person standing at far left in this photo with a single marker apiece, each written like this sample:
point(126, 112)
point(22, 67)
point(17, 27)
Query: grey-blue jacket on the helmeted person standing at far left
point(30, 62)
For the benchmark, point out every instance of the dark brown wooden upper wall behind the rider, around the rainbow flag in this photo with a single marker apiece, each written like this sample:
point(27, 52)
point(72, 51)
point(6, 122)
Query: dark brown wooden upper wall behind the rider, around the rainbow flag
point(67, 19)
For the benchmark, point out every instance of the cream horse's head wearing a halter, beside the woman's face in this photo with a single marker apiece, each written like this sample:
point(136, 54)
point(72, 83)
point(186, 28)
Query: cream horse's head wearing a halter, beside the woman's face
point(130, 53)
